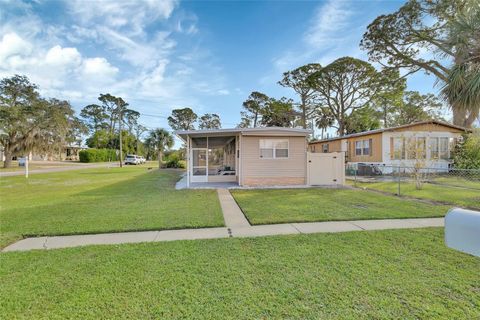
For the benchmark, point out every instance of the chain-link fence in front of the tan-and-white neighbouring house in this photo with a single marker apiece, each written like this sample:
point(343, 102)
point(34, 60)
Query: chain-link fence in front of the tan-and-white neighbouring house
point(395, 179)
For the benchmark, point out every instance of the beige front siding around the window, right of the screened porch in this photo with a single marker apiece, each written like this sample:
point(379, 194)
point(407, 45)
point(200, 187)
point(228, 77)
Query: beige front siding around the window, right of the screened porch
point(258, 171)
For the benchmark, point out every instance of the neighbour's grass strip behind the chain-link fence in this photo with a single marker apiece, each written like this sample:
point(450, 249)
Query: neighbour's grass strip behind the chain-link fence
point(464, 197)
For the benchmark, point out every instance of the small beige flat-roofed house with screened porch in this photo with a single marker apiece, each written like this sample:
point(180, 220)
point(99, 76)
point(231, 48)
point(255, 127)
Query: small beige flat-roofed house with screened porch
point(247, 156)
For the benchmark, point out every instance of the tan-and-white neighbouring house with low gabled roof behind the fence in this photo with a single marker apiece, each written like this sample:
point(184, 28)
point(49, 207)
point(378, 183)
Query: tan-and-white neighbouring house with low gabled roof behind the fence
point(431, 141)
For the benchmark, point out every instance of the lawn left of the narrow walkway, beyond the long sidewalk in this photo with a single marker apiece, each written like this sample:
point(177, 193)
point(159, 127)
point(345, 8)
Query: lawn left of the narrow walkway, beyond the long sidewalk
point(101, 200)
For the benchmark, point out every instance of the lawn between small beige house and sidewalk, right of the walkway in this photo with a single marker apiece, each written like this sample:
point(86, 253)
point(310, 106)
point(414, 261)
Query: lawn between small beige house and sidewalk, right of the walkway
point(266, 206)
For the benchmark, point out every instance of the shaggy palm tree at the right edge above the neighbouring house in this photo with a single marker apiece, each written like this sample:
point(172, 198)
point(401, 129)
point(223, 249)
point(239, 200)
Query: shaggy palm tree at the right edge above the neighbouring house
point(462, 88)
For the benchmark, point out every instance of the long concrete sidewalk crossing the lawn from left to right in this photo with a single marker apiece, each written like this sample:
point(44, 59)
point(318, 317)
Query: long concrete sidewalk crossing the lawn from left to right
point(215, 233)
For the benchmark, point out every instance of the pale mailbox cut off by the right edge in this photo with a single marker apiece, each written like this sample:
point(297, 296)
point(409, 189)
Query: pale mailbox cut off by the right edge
point(462, 230)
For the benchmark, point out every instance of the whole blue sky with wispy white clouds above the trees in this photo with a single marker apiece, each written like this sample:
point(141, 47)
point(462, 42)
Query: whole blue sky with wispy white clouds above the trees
point(161, 55)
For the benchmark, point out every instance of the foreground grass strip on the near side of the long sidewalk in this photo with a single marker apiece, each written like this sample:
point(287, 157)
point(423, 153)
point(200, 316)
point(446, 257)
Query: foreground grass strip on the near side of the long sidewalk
point(395, 274)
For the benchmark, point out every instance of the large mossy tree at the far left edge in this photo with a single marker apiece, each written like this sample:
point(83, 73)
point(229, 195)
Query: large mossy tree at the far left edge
point(31, 123)
